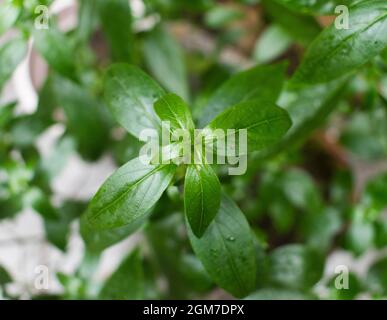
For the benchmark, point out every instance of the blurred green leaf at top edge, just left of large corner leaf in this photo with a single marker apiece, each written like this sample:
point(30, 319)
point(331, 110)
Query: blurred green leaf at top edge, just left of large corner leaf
point(302, 28)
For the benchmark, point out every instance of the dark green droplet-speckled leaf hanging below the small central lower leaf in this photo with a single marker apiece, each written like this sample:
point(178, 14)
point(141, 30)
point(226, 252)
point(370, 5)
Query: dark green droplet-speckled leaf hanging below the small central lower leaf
point(227, 250)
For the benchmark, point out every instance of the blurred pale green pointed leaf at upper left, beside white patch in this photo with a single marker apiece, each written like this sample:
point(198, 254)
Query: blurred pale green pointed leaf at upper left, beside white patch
point(57, 49)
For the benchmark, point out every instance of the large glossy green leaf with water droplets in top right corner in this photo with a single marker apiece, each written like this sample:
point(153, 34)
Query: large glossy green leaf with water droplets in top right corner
point(337, 52)
